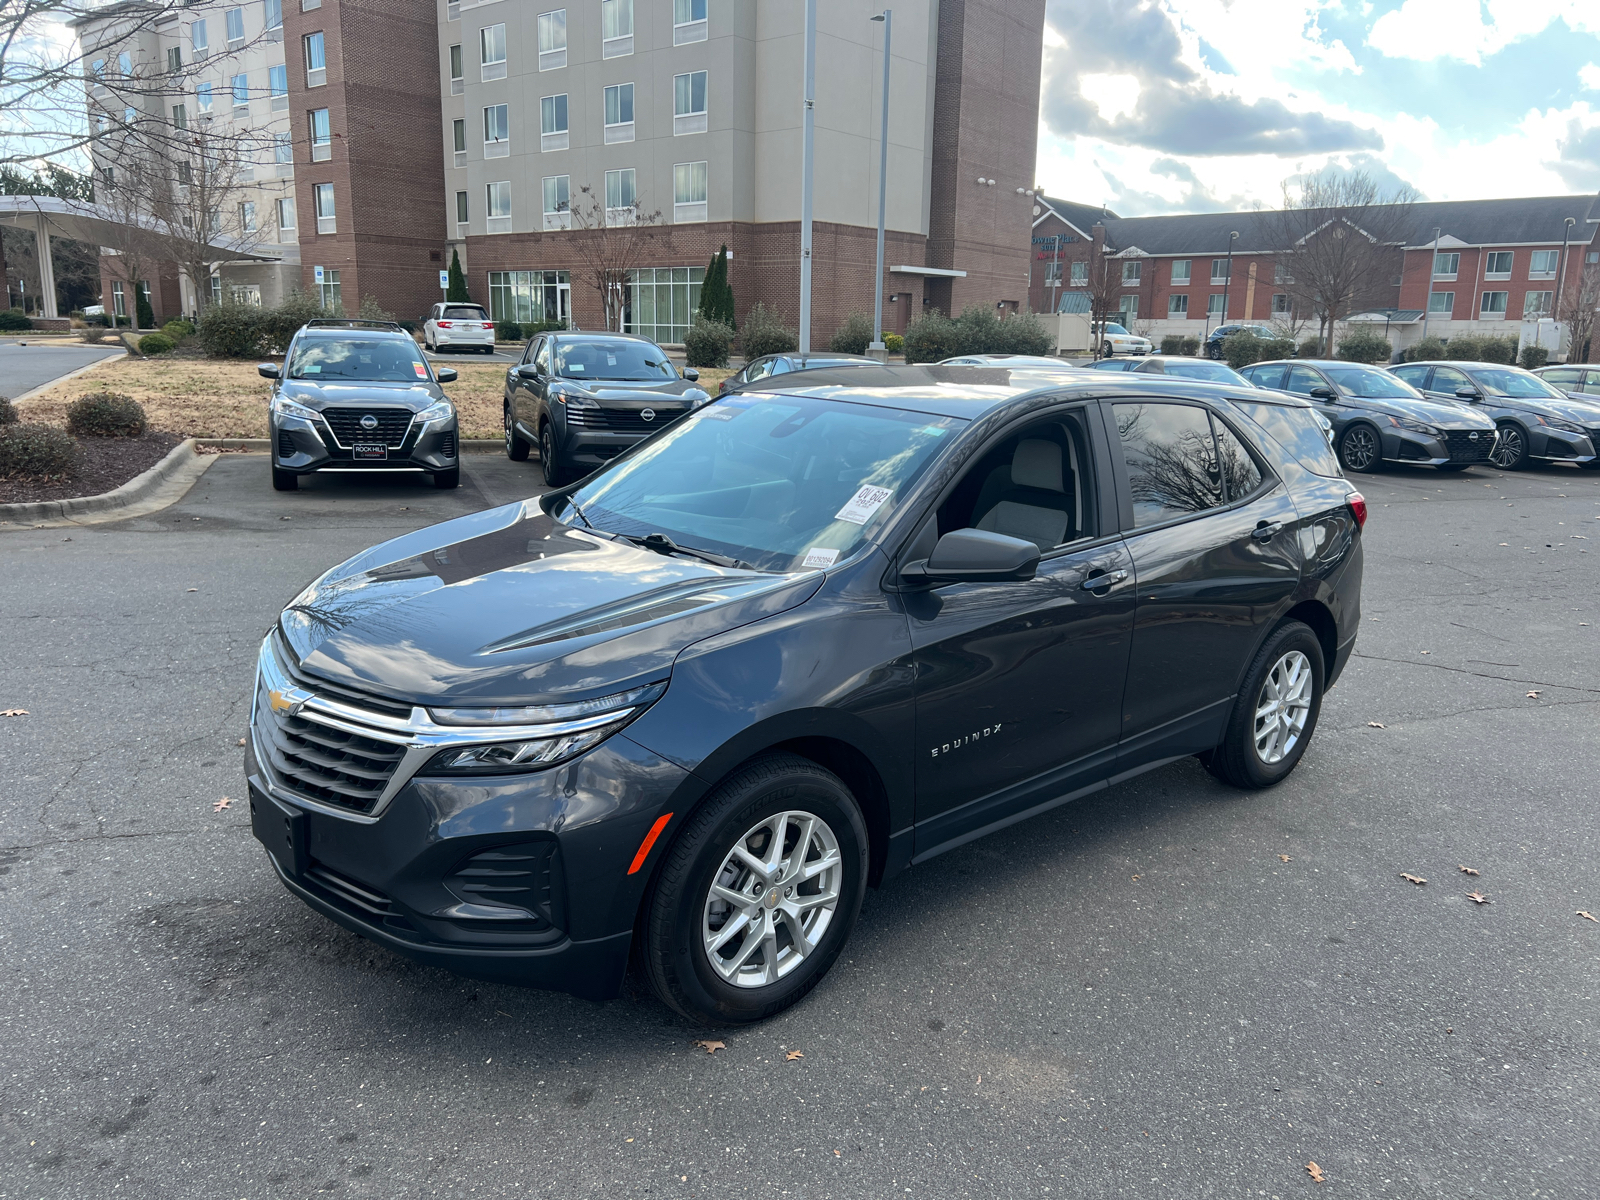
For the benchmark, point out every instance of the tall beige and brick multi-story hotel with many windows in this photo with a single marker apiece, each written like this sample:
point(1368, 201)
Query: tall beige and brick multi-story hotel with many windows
point(390, 137)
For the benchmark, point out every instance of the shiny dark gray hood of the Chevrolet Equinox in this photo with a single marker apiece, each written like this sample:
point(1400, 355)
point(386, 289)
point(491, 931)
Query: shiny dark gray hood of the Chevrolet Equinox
point(511, 607)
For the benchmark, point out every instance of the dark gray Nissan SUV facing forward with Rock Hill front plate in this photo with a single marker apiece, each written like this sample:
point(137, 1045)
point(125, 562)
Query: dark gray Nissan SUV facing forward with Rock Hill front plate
point(356, 398)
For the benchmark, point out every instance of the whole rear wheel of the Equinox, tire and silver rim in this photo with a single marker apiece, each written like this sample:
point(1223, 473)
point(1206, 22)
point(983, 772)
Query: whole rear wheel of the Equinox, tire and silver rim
point(1287, 673)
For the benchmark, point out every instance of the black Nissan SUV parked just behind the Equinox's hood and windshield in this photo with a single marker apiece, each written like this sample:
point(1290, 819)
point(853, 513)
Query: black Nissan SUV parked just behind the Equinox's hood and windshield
point(586, 398)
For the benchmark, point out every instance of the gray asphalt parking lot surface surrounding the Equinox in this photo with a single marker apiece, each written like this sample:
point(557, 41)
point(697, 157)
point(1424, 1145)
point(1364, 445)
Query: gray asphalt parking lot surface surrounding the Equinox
point(1167, 990)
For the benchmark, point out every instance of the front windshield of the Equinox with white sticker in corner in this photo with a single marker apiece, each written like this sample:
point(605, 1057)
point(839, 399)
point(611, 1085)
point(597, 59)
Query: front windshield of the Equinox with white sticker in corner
point(783, 484)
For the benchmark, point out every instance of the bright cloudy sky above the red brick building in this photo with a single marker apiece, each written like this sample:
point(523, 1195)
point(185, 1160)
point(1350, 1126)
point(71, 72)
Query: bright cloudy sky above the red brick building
point(1193, 106)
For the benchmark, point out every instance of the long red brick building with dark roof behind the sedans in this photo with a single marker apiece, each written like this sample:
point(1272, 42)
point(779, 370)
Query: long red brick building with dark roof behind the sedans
point(1495, 270)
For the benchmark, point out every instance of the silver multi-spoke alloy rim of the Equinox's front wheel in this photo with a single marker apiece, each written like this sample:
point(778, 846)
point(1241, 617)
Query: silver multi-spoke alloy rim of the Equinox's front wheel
point(772, 900)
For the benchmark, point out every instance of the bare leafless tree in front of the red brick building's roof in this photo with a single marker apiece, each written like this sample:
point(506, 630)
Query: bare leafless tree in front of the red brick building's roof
point(1342, 242)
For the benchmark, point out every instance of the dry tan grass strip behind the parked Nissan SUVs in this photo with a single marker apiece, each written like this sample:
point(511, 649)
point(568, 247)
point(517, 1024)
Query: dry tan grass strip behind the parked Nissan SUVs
point(226, 399)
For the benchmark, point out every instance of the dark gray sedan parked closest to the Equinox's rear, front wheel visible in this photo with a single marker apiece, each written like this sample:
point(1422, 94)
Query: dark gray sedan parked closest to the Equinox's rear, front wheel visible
point(1378, 418)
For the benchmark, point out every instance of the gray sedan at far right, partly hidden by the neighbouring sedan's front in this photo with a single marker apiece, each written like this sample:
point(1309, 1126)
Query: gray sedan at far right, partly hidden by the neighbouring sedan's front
point(1535, 420)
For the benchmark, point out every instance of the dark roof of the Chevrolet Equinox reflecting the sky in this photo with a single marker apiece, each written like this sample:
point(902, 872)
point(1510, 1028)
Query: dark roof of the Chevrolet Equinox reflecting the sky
point(975, 391)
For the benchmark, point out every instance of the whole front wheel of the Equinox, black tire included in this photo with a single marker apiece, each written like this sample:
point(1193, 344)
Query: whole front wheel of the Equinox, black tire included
point(748, 983)
